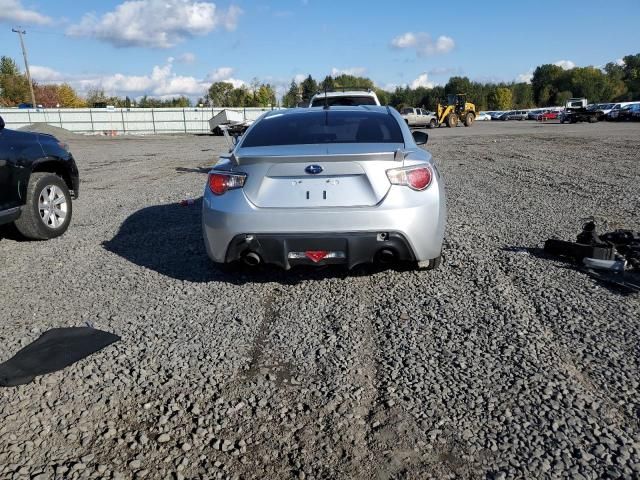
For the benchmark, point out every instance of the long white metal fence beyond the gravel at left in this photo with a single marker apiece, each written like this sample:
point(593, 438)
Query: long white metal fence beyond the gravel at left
point(122, 120)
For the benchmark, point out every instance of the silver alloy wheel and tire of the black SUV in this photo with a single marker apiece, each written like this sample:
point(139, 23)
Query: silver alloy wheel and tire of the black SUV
point(48, 209)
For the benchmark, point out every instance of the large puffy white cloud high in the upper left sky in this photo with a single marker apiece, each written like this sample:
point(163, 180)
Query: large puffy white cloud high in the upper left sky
point(155, 23)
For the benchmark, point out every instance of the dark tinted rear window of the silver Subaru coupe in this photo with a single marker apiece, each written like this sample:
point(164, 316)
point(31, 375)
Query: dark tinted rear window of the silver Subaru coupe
point(324, 126)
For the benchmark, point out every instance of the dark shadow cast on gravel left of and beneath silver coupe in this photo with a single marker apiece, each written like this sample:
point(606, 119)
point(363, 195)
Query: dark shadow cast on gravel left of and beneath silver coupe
point(168, 239)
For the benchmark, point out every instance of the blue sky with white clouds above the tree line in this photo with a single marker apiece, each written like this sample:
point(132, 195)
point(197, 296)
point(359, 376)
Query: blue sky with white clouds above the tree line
point(166, 48)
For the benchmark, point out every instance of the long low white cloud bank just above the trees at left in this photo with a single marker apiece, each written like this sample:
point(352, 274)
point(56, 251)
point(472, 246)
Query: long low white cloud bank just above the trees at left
point(161, 82)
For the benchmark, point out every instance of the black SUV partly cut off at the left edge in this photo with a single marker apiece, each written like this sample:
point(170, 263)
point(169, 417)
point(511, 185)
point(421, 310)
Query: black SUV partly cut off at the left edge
point(38, 179)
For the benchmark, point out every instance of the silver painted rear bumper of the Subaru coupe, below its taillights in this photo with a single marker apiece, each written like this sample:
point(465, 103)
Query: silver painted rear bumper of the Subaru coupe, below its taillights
point(418, 218)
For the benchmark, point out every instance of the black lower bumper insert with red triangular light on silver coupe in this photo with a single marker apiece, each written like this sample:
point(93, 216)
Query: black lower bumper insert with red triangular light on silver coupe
point(351, 249)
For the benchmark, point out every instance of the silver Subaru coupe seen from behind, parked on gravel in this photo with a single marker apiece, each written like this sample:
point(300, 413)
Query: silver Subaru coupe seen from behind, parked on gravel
point(328, 185)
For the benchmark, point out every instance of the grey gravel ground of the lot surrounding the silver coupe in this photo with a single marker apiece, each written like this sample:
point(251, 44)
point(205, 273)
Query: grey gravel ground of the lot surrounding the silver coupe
point(501, 364)
